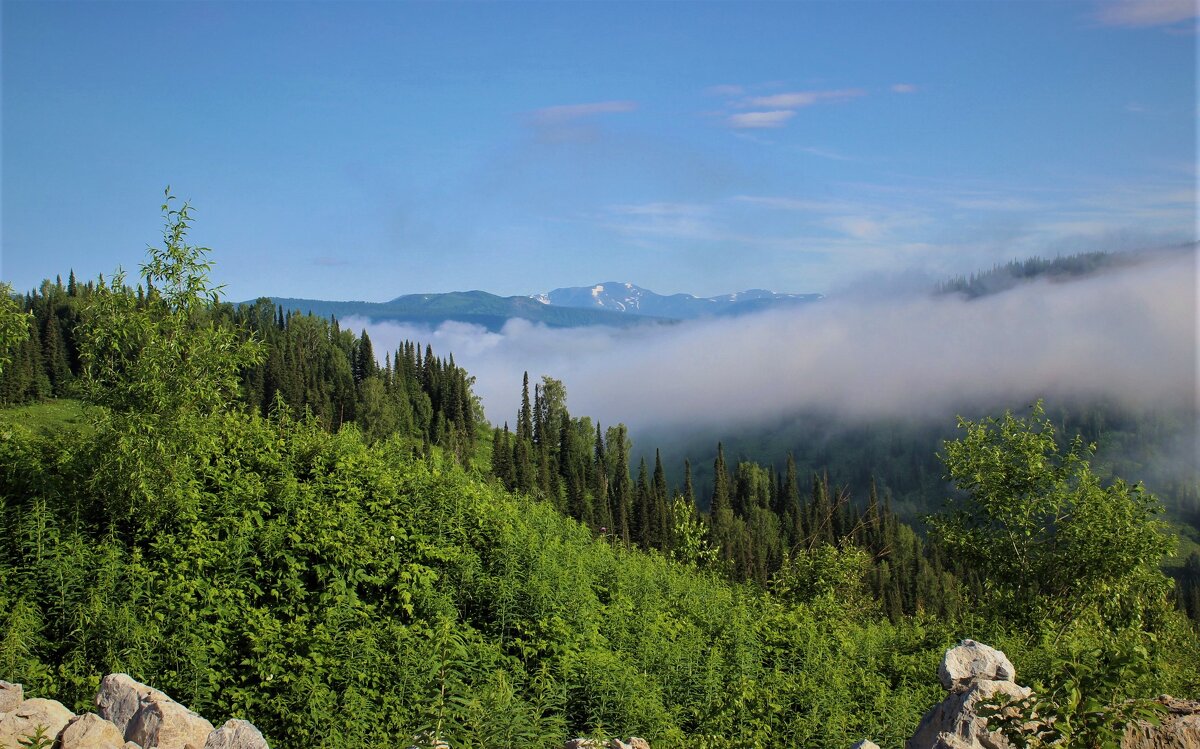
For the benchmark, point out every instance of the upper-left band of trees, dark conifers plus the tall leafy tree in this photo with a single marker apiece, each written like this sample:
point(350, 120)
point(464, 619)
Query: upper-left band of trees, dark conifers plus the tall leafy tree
point(80, 337)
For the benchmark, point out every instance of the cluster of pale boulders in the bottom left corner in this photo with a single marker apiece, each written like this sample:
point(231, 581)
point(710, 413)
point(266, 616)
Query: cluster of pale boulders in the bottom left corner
point(129, 716)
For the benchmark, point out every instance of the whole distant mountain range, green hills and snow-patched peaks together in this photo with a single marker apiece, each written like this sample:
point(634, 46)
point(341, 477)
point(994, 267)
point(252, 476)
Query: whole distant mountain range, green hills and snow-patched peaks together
point(614, 304)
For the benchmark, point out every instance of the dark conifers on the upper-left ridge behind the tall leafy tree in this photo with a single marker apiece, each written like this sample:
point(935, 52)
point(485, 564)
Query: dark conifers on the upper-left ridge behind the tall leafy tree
point(305, 363)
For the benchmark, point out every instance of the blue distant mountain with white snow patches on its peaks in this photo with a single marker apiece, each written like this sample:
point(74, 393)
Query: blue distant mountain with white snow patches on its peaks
point(631, 299)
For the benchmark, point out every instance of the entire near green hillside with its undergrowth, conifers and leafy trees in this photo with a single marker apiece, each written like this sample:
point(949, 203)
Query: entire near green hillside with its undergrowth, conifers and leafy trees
point(262, 542)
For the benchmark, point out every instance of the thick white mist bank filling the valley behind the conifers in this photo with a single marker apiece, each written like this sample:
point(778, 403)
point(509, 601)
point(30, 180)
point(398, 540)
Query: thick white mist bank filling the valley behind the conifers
point(1126, 337)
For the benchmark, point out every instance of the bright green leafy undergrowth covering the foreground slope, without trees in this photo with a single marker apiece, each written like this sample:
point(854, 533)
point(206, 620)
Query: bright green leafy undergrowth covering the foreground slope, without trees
point(337, 596)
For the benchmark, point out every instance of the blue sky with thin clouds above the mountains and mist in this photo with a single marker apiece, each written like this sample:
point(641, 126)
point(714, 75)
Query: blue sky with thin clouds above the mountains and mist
point(368, 151)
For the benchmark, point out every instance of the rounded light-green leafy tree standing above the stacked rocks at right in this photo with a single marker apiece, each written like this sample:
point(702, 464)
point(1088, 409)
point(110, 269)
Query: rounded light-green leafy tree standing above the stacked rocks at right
point(1052, 544)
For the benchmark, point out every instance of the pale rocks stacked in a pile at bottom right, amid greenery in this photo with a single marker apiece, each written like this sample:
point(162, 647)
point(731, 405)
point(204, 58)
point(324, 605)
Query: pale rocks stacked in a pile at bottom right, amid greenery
point(973, 673)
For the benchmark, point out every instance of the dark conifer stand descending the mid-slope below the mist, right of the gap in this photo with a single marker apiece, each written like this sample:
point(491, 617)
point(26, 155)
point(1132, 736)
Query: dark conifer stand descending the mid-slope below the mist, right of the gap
point(758, 525)
